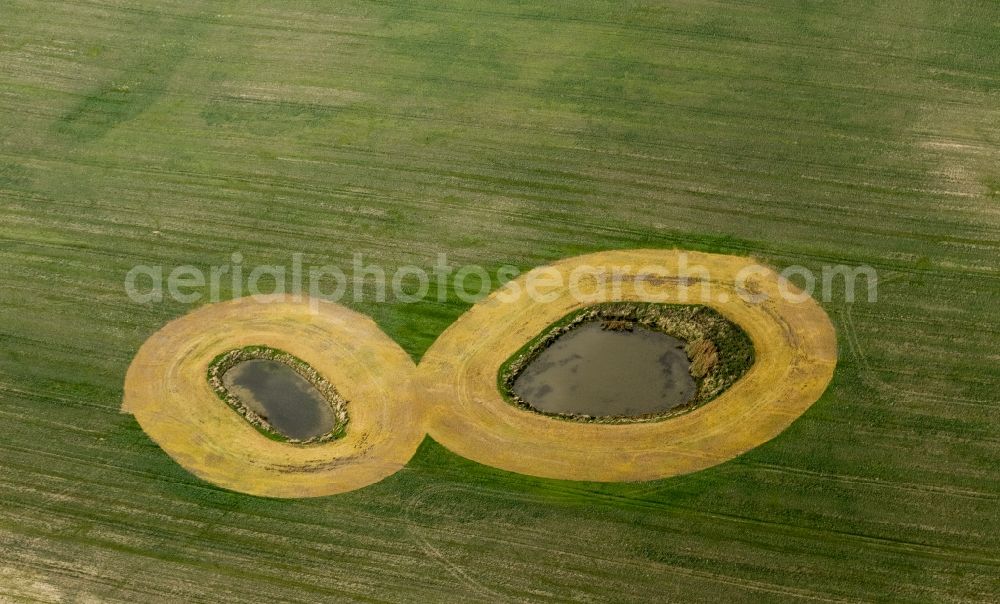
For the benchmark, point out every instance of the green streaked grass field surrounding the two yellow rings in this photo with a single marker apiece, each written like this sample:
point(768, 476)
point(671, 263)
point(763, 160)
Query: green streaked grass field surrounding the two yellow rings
point(799, 132)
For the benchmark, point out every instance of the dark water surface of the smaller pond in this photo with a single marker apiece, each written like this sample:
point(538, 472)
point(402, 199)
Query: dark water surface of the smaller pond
point(282, 397)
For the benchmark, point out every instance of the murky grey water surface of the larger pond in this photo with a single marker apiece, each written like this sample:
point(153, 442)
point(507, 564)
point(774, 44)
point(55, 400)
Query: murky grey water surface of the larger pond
point(593, 371)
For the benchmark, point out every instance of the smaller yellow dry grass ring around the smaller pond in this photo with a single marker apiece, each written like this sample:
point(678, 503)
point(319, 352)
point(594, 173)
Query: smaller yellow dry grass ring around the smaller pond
point(167, 390)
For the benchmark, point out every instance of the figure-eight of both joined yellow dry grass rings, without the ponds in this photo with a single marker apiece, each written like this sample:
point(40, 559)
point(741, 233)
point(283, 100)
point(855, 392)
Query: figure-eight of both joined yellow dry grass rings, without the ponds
point(453, 394)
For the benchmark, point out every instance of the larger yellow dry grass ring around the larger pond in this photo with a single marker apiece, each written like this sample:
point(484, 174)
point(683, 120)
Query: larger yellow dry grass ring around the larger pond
point(796, 353)
